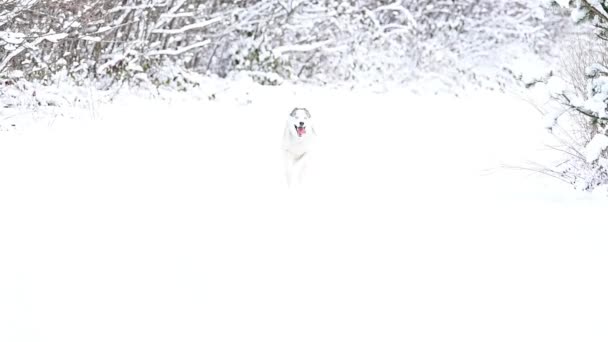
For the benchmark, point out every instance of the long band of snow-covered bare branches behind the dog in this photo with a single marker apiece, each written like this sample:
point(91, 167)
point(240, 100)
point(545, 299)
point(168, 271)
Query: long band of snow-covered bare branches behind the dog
point(322, 41)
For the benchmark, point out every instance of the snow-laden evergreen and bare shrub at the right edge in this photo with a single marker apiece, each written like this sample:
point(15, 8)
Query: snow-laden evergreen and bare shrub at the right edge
point(584, 94)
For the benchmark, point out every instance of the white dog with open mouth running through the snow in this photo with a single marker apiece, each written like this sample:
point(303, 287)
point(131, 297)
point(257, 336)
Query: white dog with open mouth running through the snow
point(297, 139)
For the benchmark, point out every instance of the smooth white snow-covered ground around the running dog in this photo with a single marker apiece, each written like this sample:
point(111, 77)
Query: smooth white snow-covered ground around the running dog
point(150, 220)
